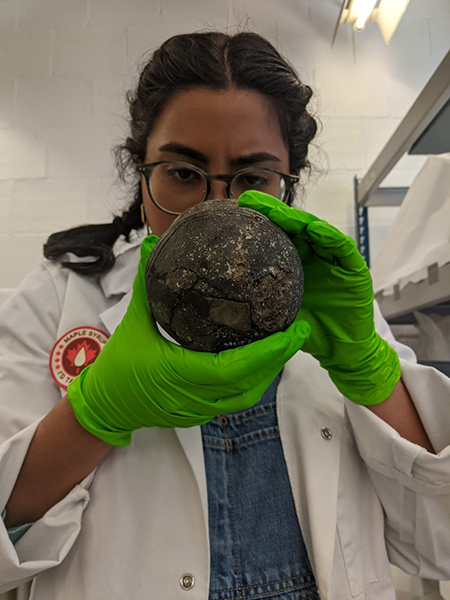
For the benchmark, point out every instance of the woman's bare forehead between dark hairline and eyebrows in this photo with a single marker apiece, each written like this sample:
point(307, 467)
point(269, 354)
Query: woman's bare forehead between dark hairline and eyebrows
point(234, 121)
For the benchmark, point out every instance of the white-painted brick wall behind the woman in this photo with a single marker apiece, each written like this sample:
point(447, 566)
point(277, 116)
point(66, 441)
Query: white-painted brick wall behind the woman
point(65, 66)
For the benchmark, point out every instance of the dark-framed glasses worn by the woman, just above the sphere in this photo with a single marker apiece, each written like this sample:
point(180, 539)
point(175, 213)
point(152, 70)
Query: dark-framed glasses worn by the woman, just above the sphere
point(174, 186)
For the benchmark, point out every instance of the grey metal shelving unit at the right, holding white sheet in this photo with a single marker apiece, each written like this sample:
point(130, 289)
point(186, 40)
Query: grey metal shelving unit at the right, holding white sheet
point(424, 130)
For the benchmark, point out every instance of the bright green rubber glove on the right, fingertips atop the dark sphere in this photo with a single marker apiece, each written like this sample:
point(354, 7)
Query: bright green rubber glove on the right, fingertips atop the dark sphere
point(337, 303)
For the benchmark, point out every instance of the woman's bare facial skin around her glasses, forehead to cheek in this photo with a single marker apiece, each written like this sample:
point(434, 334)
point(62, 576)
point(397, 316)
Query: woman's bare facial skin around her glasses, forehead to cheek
point(220, 132)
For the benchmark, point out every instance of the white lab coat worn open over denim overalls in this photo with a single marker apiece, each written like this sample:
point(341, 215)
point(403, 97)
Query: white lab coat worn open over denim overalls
point(139, 522)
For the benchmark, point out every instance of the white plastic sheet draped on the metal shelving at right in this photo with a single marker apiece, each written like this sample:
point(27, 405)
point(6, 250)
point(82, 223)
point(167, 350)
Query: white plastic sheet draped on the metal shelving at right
point(420, 234)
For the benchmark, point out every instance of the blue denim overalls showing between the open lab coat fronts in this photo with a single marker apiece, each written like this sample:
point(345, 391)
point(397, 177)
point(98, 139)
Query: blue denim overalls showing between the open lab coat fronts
point(256, 545)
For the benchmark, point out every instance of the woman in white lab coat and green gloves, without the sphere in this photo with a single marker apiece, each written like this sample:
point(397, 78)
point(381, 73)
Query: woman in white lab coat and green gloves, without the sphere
point(257, 472)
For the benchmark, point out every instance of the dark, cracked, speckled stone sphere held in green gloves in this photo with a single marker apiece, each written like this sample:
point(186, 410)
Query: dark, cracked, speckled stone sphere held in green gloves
point(223, 276)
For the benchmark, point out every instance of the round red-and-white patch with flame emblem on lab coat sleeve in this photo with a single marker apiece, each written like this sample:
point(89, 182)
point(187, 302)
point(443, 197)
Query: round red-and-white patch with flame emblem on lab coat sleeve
point(74, 351)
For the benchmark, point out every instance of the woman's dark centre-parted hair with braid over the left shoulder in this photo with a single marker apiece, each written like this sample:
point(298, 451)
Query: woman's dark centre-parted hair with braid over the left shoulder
point(216, 60)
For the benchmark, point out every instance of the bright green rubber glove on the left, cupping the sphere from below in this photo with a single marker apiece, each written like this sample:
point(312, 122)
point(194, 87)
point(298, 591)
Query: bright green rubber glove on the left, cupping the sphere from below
point(140, 379)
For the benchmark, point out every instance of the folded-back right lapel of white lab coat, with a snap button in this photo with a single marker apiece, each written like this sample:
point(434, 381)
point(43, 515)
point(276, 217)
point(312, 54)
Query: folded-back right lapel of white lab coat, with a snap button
point(308, 402)
